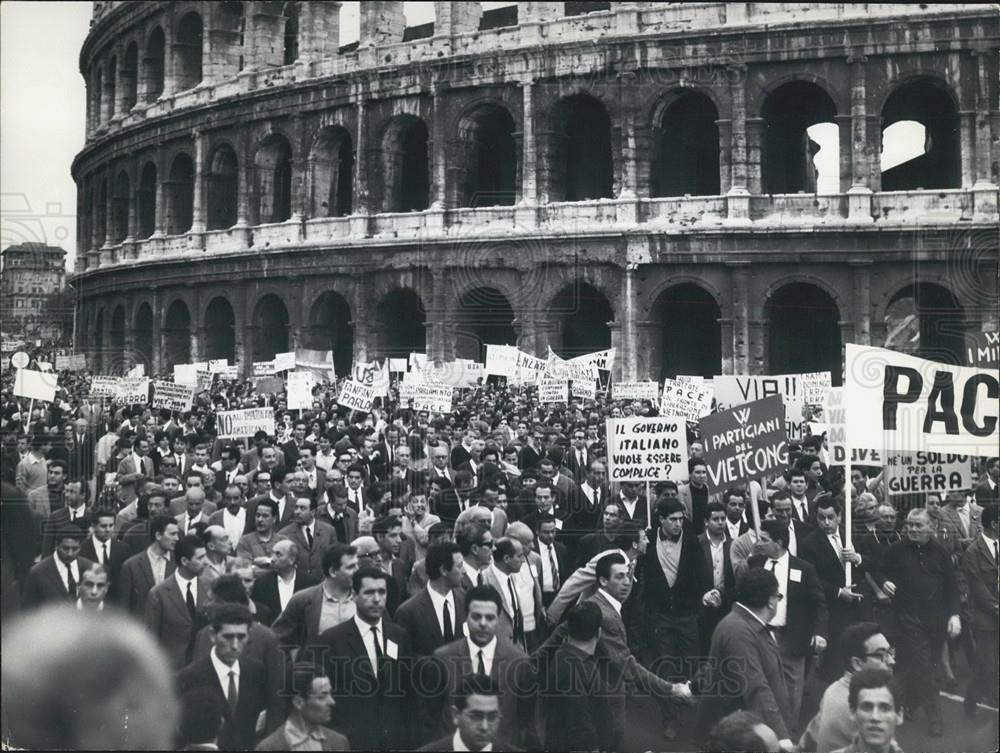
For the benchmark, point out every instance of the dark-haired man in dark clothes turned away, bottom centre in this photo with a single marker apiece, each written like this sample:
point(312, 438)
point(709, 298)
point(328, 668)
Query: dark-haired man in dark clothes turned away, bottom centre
point(577, 712)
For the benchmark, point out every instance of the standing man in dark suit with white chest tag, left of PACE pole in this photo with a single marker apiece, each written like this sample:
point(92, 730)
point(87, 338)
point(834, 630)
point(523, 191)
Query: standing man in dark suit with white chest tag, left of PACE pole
point(800, 623)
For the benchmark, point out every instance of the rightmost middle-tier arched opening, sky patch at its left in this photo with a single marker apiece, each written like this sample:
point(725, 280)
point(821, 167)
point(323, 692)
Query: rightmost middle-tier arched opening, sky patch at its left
point(928, 102)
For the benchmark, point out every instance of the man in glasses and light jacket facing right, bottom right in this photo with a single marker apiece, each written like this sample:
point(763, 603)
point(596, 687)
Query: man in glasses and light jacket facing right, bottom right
point(861, 646)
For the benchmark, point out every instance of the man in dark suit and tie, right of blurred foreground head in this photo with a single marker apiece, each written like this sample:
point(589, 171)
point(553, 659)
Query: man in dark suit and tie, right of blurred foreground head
point(239, 682)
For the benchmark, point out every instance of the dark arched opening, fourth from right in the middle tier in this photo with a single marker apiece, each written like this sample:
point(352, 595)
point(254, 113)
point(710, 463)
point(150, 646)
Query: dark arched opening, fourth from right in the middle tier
point(579, 150)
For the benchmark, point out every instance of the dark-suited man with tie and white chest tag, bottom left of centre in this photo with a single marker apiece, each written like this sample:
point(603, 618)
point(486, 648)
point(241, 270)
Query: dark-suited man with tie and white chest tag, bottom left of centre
point(369, 664)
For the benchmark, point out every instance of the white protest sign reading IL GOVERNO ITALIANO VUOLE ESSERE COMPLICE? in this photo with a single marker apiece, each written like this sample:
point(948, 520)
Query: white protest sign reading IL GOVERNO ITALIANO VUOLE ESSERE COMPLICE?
point(647, 449)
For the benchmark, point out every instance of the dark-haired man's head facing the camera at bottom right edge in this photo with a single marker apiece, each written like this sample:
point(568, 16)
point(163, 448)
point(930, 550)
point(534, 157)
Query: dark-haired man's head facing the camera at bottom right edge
point(876, 704)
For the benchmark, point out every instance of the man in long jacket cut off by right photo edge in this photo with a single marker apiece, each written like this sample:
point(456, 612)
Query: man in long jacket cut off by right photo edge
point(979, 564)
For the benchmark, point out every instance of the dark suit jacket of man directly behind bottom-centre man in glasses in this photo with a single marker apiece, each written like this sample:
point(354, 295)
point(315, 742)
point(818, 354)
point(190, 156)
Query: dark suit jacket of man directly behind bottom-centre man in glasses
point(512, 670)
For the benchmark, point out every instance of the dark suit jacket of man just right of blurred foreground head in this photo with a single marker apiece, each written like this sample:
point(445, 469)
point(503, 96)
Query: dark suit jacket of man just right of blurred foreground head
point(238, 727)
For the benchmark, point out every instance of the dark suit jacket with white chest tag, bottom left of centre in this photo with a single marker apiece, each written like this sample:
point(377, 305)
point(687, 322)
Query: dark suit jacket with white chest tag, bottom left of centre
point(373, 705)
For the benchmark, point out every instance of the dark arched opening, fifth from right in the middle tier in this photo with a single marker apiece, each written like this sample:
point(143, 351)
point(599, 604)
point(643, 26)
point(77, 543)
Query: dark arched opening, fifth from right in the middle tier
point(489, 158)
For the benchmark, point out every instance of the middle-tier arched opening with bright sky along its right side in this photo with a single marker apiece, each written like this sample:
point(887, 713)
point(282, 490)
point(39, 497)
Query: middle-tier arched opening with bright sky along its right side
point(787, 151)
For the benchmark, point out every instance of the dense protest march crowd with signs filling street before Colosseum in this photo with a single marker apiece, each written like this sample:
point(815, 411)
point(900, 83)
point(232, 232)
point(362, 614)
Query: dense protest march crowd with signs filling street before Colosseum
point(489, 563)
